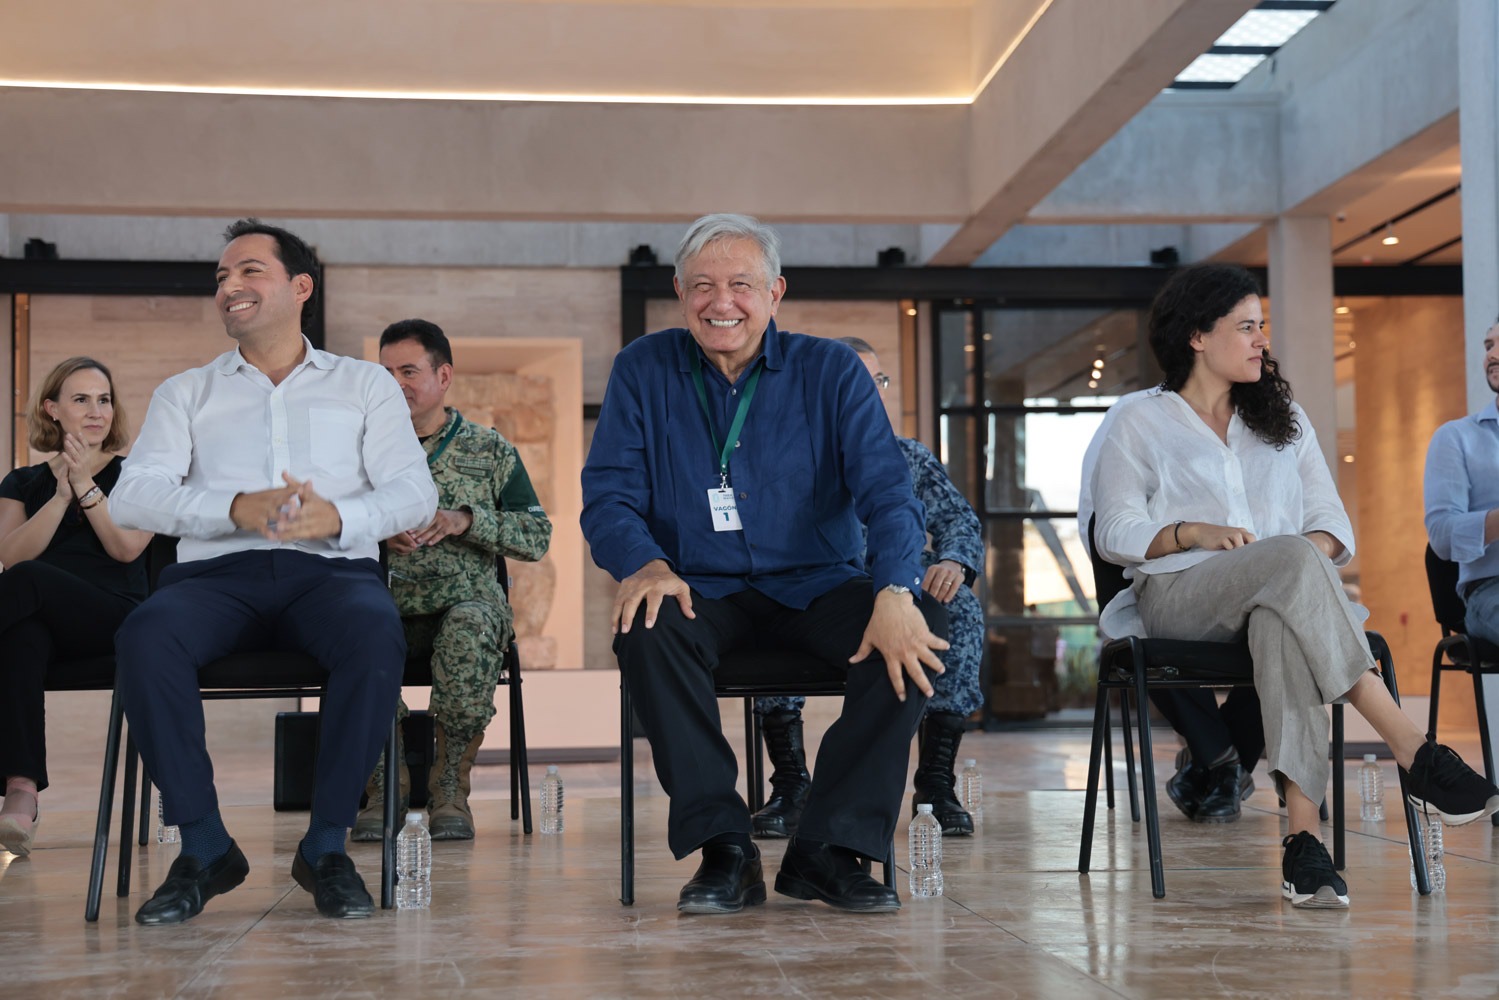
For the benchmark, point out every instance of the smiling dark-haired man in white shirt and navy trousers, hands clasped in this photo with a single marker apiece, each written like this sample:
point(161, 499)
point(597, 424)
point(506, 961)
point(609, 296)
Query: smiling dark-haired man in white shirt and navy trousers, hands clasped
point(281, 469)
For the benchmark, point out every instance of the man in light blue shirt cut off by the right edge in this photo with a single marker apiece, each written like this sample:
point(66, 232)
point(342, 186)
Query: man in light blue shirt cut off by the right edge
point(1462, 501)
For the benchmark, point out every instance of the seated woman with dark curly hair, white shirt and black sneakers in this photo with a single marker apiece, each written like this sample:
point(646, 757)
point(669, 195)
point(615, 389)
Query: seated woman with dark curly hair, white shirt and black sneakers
point(1215, 497)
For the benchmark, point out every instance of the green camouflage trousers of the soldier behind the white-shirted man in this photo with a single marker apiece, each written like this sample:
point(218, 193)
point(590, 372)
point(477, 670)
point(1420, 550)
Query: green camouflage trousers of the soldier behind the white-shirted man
point(467, 647)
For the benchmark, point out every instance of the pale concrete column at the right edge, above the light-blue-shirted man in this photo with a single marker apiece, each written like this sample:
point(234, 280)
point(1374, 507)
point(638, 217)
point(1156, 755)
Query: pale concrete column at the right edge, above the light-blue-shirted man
point(1479, 122)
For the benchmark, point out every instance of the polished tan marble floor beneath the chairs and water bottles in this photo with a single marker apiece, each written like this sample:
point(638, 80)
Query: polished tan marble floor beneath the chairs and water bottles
point(540, 915)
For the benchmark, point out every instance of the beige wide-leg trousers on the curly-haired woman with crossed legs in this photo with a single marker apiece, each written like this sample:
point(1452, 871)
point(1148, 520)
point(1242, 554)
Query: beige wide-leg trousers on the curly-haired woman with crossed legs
point(1305, 638)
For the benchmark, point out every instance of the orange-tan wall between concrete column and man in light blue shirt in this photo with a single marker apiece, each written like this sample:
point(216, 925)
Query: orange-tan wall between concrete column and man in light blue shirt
point(1410, 382)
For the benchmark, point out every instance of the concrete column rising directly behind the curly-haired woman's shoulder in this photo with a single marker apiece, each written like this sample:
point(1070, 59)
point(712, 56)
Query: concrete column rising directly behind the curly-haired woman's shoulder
point(1302, 320)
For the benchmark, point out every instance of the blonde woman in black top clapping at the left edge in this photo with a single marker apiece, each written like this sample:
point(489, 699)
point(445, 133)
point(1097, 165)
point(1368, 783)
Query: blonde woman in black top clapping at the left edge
point(71, 575)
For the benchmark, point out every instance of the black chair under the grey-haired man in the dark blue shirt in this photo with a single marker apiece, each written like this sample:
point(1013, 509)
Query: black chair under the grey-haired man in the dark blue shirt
point(746, 674)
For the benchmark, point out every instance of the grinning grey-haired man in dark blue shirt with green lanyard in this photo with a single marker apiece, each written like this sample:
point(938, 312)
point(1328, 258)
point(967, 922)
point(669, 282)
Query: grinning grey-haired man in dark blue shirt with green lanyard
point(729, 476)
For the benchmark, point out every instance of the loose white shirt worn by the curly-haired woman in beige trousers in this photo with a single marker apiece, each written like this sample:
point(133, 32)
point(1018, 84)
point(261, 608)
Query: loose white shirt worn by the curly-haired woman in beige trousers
point(1162, 464)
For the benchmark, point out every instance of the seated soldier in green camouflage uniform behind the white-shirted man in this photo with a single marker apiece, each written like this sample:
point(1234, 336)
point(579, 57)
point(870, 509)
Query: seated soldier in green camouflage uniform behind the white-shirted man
point(444, 579)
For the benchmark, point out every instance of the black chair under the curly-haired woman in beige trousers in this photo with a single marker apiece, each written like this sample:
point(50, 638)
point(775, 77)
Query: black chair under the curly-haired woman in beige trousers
point(1135, 666)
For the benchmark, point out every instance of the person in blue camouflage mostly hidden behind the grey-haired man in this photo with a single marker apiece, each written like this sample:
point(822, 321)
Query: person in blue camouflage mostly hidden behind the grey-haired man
point(953, 563)
